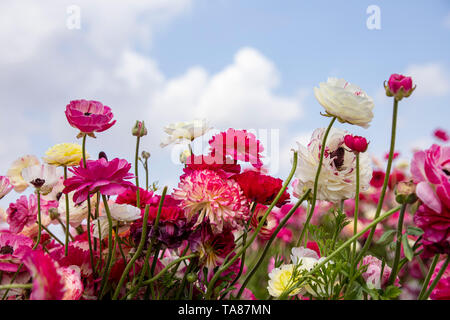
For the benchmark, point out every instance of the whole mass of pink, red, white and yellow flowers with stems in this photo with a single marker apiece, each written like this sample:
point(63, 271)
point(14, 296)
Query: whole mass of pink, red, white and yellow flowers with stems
point(123, 241)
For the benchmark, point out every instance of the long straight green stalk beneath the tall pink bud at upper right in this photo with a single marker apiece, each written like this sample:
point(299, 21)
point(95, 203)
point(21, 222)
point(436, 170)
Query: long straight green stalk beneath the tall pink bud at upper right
point(385, 184)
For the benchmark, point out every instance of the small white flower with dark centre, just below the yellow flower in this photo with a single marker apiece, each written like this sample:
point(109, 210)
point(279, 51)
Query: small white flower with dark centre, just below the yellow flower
point(41, 176)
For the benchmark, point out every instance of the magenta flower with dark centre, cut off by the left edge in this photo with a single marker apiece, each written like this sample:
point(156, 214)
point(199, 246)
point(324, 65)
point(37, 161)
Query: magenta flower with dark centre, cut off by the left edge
point(12, 248)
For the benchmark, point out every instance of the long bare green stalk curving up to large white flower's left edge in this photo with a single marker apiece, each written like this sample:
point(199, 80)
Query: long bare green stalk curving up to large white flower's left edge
point(255, 234)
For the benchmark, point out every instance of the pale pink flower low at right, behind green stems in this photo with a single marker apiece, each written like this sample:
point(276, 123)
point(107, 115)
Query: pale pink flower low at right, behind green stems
point(373, 276)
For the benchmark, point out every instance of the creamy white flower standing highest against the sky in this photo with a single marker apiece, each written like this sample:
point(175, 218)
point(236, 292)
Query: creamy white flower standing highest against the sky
point(345, 101)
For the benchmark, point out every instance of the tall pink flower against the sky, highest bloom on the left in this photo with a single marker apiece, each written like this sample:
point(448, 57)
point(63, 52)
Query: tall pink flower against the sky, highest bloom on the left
point(89, 116)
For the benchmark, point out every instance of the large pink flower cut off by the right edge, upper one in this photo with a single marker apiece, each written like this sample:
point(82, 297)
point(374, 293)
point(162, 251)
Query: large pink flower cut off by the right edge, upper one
point(430, 169)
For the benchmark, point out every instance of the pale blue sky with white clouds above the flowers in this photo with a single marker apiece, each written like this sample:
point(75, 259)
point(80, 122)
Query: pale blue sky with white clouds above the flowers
point(243, 64)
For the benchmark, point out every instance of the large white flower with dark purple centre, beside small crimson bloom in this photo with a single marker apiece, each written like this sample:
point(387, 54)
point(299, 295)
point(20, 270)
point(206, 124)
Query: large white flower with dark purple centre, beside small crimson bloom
point(337, 178)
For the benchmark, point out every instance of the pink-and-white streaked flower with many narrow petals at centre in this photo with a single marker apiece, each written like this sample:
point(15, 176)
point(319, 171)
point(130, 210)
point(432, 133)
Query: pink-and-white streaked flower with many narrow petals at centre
point(205, 196)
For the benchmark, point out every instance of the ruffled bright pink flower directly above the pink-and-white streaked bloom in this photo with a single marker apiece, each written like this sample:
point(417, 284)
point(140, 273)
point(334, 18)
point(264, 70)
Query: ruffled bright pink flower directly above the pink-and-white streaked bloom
point(239, 145)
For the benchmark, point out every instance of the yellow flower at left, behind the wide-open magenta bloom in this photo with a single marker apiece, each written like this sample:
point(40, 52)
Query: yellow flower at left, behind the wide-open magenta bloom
point(64, 154)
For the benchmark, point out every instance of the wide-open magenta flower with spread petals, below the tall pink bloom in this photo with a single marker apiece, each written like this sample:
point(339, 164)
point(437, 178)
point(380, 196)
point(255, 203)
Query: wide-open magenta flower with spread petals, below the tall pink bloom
point(107, 177)
